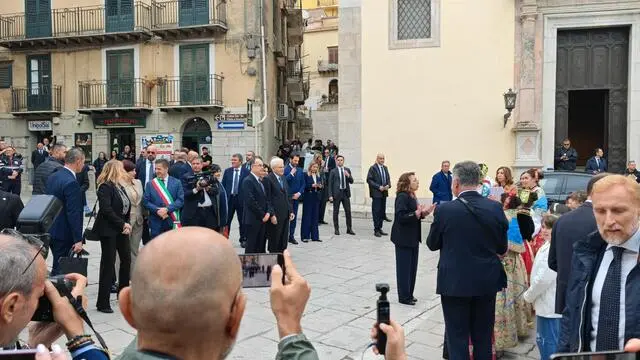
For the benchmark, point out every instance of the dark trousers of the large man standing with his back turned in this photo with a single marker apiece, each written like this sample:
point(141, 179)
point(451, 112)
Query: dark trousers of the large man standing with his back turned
point(466, 317)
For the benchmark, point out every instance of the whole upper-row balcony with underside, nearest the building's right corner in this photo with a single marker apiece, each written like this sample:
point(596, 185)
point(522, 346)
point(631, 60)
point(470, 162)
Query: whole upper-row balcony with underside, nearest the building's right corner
point(174, 21)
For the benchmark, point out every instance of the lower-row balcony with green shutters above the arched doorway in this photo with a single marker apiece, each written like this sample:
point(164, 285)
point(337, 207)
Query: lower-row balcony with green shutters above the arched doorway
point(190, 93)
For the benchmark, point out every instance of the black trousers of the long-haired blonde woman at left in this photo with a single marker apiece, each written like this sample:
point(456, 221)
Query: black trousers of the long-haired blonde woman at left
point(109, 246)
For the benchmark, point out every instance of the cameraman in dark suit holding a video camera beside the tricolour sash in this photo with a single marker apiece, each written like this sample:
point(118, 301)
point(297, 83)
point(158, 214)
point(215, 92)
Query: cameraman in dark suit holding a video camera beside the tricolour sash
point(201, 198)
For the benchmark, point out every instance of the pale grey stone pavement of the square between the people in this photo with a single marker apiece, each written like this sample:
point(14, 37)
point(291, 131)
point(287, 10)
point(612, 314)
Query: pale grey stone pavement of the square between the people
point(342, 272)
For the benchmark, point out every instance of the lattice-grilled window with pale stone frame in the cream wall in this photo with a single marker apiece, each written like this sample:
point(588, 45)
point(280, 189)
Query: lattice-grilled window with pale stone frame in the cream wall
point(414, 24)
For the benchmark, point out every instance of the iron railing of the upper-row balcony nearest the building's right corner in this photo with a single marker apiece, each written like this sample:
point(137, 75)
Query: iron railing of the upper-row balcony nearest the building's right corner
point(170, 14)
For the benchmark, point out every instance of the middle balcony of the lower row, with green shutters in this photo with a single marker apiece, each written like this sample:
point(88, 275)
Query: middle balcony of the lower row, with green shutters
point(107, 96)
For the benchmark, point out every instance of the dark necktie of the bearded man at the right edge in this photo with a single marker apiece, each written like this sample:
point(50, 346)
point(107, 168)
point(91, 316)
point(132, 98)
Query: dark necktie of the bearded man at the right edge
point(609, 317)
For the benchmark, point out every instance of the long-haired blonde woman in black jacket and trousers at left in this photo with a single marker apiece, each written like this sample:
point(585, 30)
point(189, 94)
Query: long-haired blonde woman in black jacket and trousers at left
point(113, 228)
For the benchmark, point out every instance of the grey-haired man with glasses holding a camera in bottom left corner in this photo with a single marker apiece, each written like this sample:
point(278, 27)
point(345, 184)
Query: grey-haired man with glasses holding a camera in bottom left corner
point(22, 283)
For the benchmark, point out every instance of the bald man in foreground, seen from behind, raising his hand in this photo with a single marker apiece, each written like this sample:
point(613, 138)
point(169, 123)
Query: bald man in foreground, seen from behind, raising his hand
point(164, 295)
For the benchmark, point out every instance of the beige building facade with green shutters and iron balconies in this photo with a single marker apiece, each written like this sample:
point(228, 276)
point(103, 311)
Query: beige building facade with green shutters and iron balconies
point(112, 73)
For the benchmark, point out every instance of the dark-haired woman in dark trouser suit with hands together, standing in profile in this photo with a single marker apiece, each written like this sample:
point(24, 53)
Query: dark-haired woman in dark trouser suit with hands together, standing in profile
point(406, 235)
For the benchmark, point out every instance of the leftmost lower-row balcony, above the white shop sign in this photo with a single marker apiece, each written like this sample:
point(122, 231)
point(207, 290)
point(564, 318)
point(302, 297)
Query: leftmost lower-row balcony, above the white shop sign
point(36, 101)
